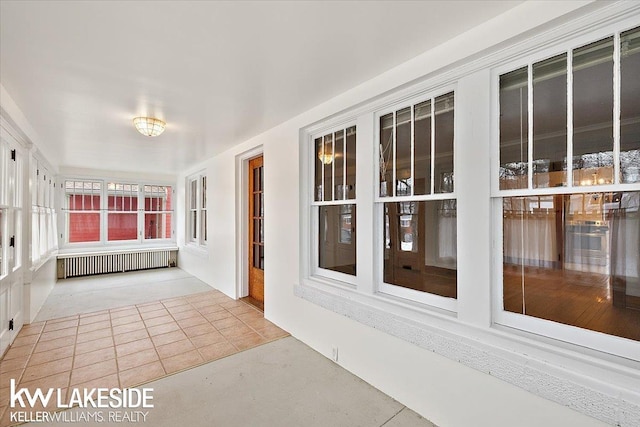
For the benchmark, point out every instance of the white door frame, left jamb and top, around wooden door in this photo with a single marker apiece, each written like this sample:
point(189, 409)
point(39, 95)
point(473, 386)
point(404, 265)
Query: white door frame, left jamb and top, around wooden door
point(242, 219)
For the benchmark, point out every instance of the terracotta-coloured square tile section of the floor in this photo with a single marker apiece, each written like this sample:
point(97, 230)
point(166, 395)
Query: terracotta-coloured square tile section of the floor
point(128, 346)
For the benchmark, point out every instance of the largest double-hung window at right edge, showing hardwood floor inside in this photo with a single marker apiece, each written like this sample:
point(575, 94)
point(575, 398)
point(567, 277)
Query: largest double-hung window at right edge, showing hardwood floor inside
point(568, 190)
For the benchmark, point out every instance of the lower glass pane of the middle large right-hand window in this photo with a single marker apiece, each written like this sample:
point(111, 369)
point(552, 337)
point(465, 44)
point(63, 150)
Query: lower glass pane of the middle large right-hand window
point(420, 249)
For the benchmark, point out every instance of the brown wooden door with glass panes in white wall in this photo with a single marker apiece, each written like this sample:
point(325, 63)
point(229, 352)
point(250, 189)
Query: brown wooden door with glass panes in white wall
point(256, 229)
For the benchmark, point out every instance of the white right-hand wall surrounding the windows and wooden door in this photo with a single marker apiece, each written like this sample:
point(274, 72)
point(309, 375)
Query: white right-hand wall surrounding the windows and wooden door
point(445, 391)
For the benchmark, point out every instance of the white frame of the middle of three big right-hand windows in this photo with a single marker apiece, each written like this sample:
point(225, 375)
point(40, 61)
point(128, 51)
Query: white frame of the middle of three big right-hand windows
point(448, 304)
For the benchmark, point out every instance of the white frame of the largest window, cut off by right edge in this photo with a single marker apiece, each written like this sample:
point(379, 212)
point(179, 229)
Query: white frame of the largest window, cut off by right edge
point(605, 343)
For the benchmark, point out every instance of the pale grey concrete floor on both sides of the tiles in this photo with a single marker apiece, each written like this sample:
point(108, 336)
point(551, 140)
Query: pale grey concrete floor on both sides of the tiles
point(281, 383)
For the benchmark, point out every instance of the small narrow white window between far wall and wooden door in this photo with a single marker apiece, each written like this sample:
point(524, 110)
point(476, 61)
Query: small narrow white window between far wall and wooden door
point(197, 209)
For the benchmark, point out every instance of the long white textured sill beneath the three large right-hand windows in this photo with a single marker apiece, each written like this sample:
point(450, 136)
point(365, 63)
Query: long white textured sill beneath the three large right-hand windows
point(590, 383)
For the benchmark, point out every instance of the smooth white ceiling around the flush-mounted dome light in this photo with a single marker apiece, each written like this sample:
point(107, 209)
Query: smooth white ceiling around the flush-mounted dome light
point(217, 72)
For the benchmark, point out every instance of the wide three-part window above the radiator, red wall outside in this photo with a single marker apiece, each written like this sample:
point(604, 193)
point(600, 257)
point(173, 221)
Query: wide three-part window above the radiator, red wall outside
point(130, 212)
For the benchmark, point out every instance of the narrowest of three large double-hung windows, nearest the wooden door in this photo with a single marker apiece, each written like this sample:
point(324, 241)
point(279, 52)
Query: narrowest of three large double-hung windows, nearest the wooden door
point(334, 202)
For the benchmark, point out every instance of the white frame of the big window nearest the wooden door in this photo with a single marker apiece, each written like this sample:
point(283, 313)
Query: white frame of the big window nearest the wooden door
point(314, 207)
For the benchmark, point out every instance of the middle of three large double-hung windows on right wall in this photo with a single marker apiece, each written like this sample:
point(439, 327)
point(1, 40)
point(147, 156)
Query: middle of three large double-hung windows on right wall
point(416, 196)
